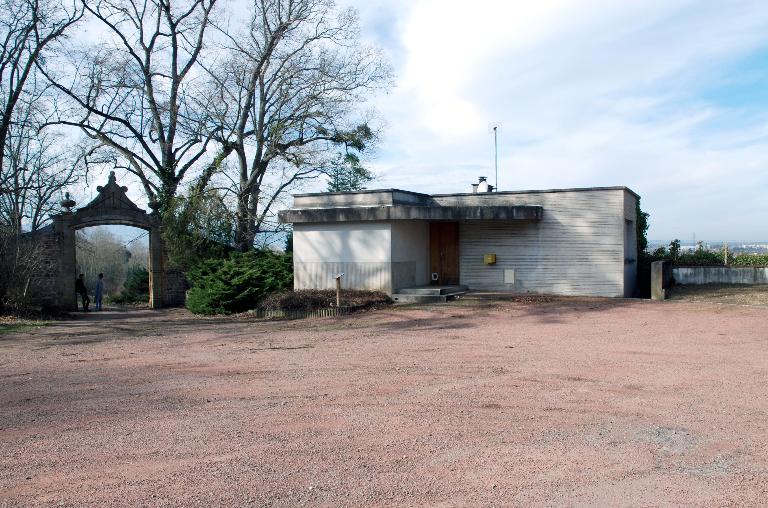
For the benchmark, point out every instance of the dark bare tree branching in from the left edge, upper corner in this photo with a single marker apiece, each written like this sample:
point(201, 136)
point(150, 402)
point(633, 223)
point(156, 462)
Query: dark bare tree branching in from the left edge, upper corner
point(28, 28)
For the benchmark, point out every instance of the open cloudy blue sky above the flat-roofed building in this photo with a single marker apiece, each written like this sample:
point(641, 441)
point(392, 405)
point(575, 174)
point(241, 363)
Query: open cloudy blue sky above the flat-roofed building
point(666, 97)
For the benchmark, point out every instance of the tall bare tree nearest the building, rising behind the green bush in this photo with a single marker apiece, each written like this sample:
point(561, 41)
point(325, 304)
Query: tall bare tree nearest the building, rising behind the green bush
point(285, 102)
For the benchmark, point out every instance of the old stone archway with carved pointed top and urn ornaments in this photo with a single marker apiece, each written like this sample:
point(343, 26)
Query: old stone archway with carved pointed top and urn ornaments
point(111, 207)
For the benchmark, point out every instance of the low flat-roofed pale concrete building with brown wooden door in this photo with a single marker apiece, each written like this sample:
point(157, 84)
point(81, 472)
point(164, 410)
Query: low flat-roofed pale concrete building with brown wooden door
point(563, 241)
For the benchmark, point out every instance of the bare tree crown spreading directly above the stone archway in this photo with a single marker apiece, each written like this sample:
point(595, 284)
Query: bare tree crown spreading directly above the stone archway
point(131, 94)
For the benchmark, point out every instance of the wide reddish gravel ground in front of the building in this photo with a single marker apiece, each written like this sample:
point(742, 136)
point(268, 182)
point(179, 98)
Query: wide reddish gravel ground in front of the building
point(566, 402)
